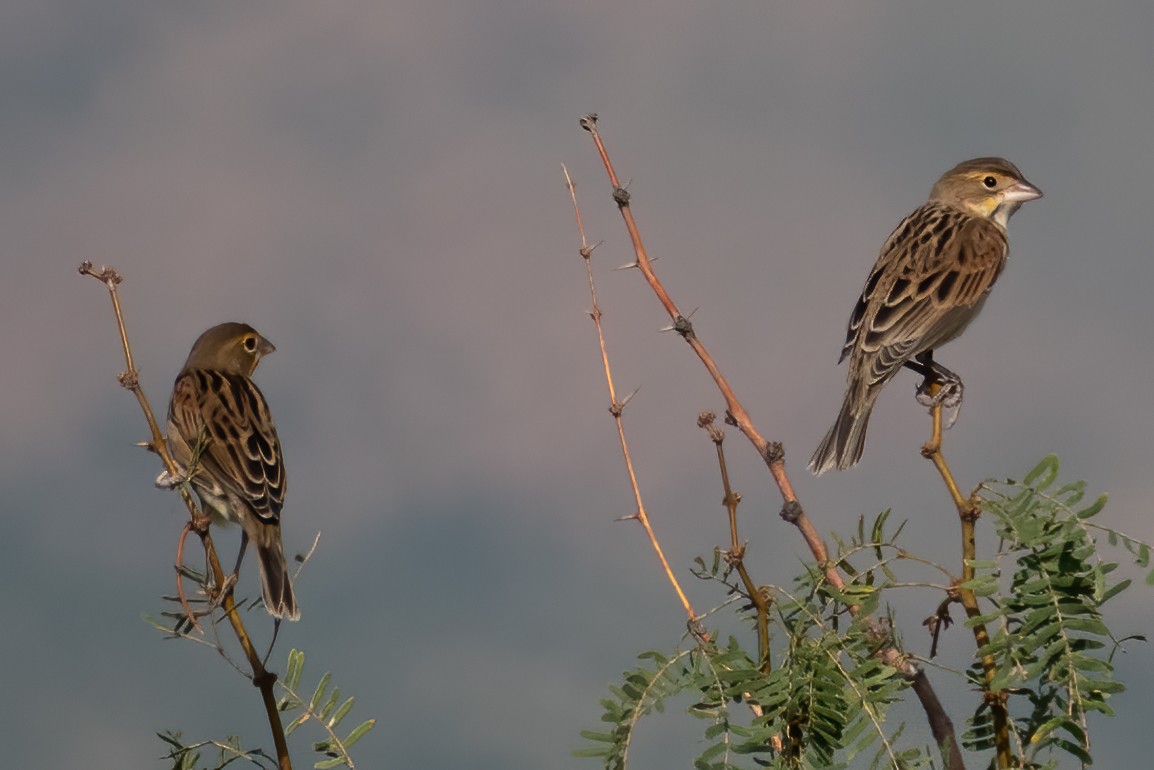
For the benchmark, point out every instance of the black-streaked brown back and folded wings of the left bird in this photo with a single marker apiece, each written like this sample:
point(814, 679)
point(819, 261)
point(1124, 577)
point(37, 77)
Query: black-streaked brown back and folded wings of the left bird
point(228, 416)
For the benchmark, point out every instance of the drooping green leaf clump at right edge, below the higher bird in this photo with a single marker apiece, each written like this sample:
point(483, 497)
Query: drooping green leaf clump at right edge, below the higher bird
point(1047, 588)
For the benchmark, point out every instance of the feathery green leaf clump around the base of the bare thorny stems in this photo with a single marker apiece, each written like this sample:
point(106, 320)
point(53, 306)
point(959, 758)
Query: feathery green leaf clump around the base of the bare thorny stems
point(826, 697)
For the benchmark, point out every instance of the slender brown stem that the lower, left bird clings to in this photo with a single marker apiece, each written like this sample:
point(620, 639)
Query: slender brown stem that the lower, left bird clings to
point(130, 379)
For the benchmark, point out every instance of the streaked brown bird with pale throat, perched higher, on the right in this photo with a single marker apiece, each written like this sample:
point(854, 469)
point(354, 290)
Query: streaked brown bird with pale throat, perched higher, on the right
point(930, 282)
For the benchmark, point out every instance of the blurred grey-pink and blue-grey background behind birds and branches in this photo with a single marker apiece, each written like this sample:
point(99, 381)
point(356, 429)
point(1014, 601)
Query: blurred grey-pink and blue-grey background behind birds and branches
point(378, 189)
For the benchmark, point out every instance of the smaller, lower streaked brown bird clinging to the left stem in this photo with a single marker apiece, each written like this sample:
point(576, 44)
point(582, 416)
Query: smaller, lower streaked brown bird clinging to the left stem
point(222, 433)
